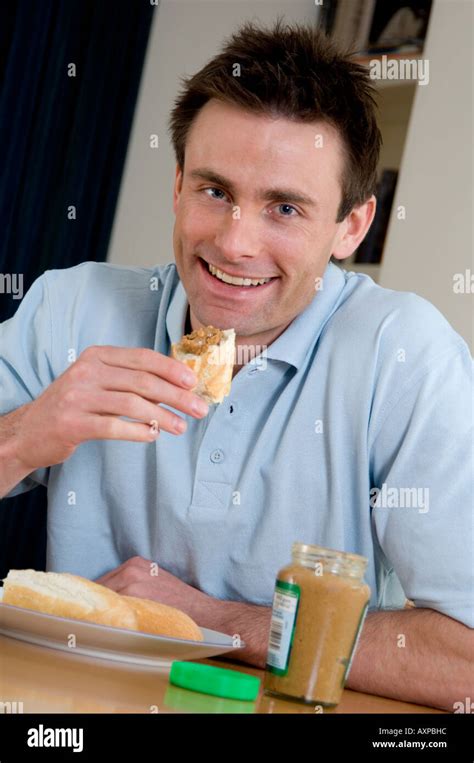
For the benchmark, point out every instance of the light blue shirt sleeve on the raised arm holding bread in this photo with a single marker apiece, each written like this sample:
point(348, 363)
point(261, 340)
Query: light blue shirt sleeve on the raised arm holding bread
point(25, 361)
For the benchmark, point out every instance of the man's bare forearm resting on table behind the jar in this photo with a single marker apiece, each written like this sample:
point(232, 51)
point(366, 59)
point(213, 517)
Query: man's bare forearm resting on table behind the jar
point(413, 655)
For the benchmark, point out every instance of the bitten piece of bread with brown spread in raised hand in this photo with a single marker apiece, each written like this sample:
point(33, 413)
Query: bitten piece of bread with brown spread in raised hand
point(210, 353)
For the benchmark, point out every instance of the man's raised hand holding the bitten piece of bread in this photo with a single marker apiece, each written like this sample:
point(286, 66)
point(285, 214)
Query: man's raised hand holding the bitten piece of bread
point(86, 401)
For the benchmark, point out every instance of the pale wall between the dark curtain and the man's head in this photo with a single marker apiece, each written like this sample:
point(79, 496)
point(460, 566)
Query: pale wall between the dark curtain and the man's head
point(184, 36)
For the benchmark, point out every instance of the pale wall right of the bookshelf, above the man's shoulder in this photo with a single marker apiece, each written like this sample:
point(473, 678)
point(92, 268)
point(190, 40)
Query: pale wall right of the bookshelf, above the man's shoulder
point(423, 252)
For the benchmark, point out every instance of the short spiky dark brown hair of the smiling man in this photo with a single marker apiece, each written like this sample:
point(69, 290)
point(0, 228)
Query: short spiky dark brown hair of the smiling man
point(293, 71)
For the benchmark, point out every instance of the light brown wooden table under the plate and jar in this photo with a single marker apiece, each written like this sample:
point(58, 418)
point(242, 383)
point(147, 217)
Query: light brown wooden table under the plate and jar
point(50, 681)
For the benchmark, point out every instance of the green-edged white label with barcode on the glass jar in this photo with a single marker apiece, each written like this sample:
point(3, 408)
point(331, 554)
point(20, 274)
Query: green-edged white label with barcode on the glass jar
point(282, 627)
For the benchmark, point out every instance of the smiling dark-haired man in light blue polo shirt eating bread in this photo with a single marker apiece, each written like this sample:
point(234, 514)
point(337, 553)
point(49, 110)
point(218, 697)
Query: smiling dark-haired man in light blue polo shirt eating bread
point(351, 428)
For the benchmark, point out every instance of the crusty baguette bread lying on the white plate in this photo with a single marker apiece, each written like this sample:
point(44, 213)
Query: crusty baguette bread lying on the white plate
point(67, 595)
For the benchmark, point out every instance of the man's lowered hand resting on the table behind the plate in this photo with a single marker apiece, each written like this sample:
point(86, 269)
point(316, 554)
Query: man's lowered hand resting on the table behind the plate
point(147, 580)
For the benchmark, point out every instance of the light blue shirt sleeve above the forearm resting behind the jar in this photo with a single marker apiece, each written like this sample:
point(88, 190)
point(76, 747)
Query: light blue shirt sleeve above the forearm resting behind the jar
point(422, 476)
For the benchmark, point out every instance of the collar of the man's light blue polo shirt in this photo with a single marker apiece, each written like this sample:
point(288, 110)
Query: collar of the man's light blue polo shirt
point(293, 344)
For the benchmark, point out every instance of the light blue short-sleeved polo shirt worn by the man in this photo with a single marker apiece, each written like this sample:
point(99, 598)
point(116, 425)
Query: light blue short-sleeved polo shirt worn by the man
point(368, 389)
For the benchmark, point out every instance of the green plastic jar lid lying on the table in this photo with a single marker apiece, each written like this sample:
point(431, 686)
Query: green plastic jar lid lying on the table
point(211, 680)
